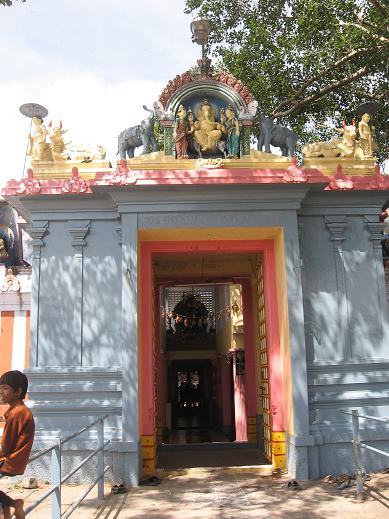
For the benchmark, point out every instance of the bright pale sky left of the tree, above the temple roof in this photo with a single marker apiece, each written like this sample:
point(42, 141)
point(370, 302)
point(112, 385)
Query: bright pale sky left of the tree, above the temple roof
point(91, 63)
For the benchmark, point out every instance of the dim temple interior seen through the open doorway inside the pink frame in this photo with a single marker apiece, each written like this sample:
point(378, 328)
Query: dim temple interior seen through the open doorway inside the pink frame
point(211, 384)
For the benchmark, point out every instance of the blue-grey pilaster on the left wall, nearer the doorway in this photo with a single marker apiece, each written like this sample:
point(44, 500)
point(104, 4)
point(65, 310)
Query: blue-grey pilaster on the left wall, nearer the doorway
point(78, 229)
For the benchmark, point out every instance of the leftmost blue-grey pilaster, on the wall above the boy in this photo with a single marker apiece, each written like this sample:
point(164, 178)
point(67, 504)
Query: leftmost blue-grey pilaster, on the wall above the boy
point(37, 231)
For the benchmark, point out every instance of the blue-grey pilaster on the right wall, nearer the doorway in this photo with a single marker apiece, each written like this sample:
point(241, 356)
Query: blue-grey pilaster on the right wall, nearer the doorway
point(336, 225)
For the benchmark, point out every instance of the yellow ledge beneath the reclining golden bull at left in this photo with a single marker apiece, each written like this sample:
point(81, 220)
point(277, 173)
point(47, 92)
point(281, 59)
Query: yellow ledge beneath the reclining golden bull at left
point(53, 170)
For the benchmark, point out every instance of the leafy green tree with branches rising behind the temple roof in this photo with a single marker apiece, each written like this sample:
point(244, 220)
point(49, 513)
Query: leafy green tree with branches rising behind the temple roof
point(309, 63)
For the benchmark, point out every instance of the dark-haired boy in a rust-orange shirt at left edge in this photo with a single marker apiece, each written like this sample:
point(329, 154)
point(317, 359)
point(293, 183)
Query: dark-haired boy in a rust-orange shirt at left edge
point(18, 435)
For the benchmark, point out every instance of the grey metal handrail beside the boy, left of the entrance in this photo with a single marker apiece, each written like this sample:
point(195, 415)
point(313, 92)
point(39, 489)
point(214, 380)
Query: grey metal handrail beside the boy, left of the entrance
point(57, 480)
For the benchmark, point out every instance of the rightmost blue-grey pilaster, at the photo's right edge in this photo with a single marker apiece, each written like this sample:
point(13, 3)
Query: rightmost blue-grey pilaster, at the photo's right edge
point(375, 230)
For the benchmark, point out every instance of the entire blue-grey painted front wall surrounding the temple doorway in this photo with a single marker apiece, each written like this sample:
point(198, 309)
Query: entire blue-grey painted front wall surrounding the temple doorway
point(84, 315)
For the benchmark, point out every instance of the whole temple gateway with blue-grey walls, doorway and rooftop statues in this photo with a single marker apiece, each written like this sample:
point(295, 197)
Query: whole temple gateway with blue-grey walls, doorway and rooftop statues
point(207, 296)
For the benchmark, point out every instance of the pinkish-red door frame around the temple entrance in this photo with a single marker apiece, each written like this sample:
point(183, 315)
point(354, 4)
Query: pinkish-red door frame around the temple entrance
point(147, 358)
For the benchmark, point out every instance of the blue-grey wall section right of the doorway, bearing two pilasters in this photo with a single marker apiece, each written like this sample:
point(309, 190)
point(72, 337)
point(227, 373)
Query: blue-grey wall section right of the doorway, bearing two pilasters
point(346, 325)
